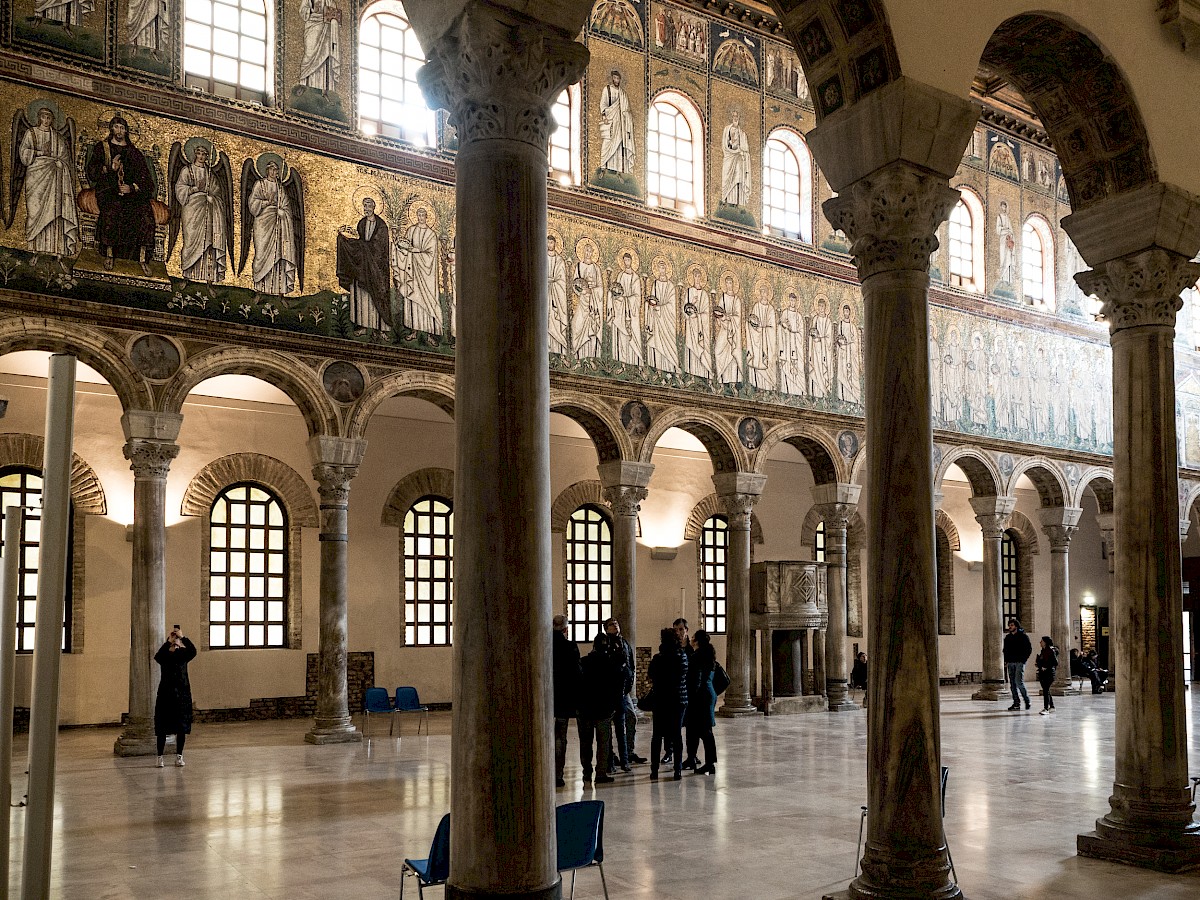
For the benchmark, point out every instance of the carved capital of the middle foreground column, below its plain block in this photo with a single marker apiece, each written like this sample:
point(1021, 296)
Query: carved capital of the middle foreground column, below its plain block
point(892, 218)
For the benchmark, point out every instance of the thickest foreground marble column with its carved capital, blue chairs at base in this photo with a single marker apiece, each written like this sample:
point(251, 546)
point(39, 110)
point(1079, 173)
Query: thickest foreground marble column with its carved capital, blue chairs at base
point(500, 74)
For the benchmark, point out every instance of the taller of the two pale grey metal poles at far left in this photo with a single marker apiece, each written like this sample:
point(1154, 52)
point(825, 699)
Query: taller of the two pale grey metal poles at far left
point(44, 728)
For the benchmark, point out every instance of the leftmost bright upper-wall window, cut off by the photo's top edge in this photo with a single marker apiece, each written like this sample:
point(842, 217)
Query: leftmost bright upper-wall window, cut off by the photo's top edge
point(226, 49)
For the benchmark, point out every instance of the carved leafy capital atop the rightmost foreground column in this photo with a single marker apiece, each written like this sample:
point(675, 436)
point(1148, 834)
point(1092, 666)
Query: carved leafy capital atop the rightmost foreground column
point(1141, 289)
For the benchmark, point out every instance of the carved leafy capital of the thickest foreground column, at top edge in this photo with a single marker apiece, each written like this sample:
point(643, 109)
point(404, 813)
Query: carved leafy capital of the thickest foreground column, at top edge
point(500, 75)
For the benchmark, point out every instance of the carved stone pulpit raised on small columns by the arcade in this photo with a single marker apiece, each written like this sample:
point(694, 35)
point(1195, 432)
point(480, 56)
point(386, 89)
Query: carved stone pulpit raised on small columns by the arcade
point(790, 613)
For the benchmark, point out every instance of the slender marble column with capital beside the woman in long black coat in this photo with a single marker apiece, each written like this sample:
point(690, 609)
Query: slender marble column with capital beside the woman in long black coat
point(149, 447)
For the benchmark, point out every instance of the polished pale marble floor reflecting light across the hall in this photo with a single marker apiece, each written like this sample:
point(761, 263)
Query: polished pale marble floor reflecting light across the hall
point(260, 814)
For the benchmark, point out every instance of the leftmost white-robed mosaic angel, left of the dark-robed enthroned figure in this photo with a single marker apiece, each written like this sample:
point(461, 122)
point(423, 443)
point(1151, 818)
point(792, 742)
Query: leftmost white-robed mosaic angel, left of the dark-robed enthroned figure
point(52, 221)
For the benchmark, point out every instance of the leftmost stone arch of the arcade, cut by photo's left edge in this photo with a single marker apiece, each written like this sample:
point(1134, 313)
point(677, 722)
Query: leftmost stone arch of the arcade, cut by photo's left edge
point(94, 347)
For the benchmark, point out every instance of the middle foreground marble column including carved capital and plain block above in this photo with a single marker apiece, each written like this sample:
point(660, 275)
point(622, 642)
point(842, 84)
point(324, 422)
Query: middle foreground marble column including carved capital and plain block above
point(890, 158)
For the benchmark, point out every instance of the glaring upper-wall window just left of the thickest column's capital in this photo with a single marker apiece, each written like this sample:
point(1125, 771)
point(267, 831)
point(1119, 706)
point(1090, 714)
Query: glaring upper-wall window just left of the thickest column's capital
point(391, 101)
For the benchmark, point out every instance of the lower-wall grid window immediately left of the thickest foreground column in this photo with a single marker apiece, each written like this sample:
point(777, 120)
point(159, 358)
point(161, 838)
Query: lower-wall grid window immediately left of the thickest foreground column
point(429, 573)
